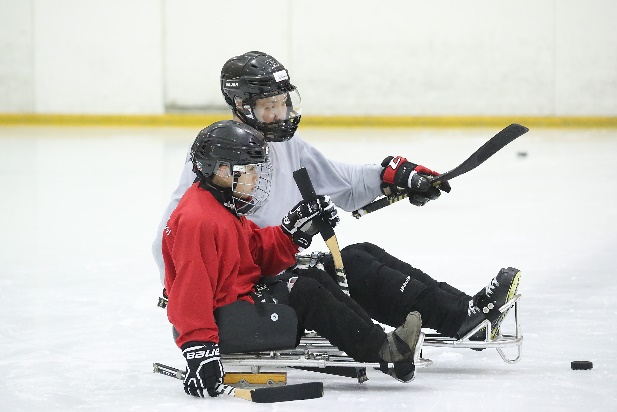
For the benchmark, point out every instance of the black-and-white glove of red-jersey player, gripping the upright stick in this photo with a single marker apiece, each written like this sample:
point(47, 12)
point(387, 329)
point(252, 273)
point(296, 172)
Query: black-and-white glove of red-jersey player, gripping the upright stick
point(299, 222)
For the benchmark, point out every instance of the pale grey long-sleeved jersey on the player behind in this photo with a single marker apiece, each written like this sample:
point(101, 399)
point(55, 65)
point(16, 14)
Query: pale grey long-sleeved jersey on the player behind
point(349, 186)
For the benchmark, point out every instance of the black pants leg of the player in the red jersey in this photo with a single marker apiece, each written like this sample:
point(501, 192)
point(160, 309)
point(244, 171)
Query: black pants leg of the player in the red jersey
point(321, 306)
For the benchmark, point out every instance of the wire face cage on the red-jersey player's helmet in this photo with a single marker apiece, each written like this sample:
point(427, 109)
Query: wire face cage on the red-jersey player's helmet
point(247, 203)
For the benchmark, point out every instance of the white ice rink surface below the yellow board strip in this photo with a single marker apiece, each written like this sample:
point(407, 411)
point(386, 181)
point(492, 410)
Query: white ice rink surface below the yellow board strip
point(79, 326)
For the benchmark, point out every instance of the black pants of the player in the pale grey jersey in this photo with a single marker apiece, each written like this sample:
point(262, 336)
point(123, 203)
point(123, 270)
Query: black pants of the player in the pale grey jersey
point(388, 289)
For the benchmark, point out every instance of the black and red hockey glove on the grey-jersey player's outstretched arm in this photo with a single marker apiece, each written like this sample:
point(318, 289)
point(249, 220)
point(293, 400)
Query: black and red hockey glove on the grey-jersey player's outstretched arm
point(415, 179)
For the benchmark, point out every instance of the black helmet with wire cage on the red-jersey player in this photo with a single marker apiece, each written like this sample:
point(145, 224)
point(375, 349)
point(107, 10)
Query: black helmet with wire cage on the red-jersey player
point(244, 151)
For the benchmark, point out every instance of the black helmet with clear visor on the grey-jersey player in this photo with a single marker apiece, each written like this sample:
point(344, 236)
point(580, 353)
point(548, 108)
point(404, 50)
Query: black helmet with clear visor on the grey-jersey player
point(258, 90)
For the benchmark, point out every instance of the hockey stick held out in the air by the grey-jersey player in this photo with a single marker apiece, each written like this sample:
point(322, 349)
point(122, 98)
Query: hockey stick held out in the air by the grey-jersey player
point(492, 146)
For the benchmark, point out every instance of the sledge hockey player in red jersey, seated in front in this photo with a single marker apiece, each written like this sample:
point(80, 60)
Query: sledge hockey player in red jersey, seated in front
point(214, 257)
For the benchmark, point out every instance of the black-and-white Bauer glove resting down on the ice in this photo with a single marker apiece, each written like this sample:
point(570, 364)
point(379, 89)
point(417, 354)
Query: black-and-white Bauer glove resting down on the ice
point(203, 368)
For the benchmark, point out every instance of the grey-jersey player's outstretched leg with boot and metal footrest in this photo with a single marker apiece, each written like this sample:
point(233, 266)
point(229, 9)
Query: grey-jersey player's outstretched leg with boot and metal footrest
point(386, 287)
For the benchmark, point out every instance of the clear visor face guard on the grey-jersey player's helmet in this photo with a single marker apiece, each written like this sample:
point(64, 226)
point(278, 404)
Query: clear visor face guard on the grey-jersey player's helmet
point(274, 131)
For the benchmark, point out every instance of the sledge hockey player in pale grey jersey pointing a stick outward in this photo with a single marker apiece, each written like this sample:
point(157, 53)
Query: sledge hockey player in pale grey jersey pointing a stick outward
point(259, 92)
